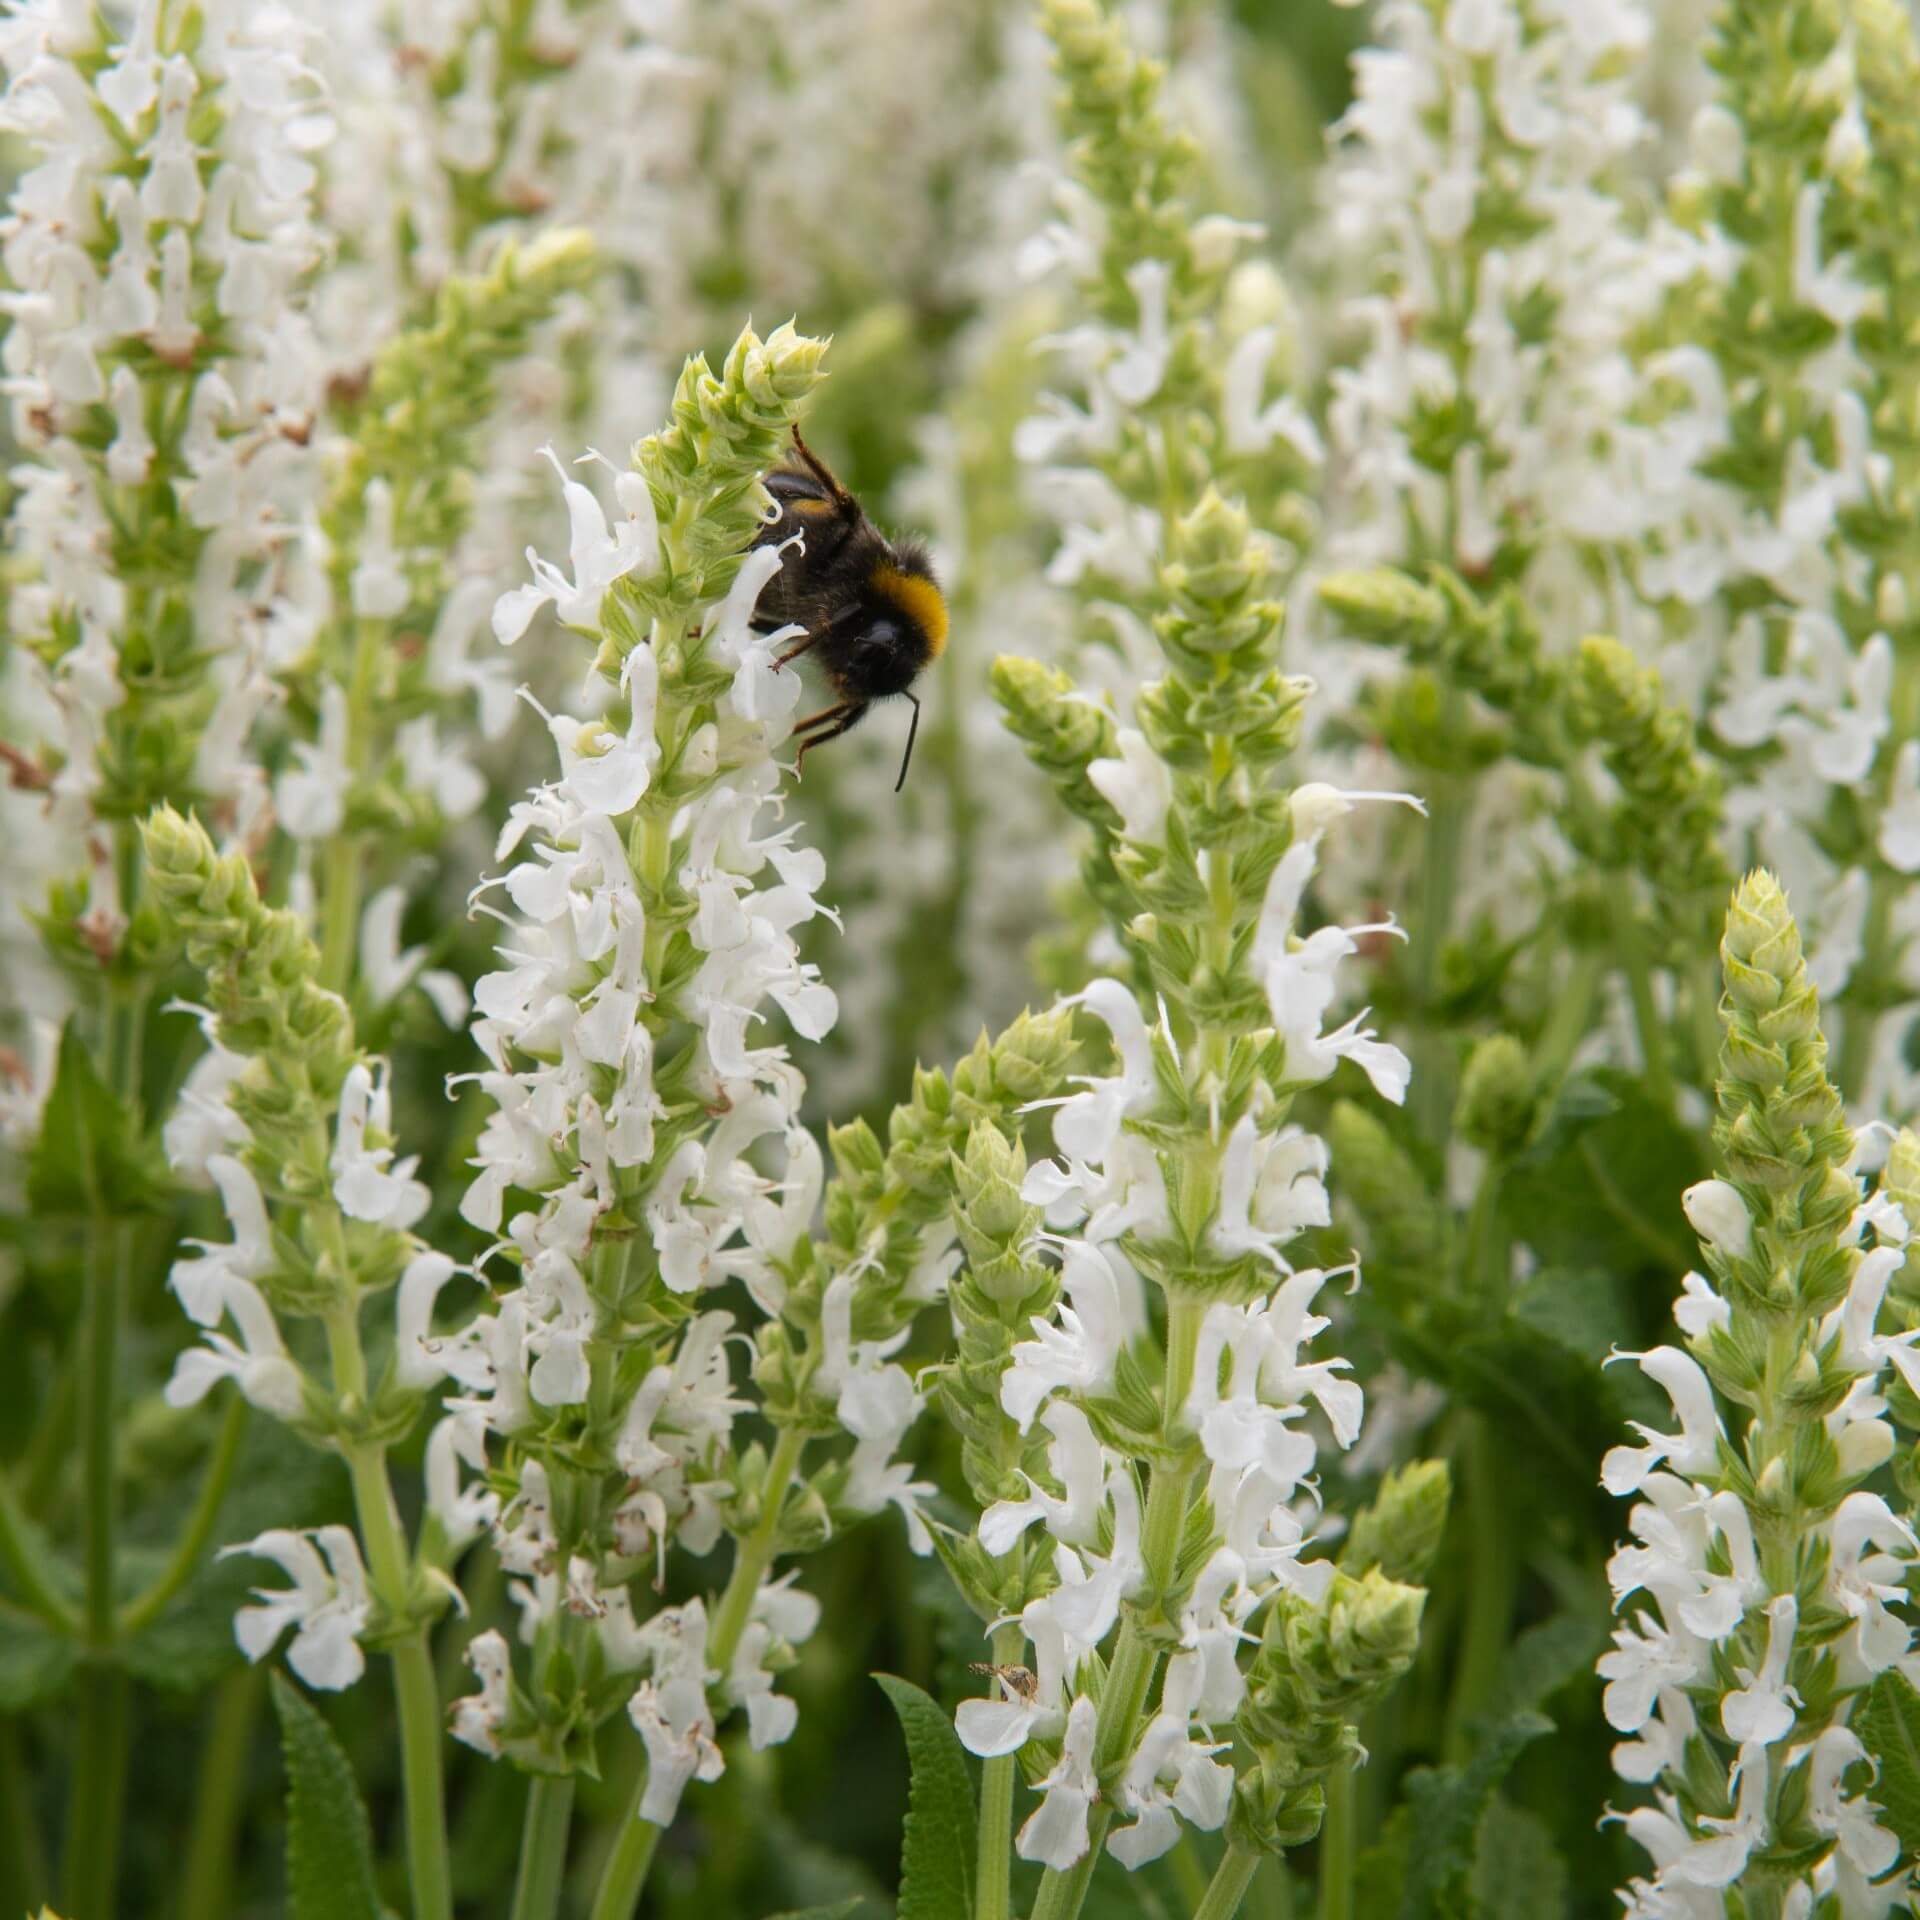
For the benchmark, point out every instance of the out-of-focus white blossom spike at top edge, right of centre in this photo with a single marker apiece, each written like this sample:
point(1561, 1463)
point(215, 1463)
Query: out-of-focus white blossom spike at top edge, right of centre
point(1476, 195)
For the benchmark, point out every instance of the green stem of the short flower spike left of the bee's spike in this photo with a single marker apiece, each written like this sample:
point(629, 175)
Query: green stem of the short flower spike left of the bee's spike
point(416, 1694)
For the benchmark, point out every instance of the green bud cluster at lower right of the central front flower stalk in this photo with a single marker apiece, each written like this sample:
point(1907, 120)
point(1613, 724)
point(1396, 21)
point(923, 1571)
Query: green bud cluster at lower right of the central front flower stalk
point(1318, 1669)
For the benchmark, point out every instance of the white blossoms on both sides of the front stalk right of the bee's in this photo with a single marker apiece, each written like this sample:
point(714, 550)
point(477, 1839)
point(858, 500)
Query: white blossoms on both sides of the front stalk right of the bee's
point(1255, 1403)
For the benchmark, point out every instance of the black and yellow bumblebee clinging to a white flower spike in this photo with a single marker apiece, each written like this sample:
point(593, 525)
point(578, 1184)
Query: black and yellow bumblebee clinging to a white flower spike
point(873, 610)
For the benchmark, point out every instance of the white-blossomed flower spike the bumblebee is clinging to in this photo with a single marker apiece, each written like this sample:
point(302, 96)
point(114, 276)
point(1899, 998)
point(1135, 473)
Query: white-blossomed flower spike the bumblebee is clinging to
point(652, 934)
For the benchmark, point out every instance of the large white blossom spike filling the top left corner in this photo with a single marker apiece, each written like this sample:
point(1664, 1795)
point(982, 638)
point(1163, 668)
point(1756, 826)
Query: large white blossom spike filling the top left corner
point(155, 247)
